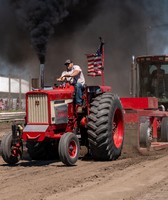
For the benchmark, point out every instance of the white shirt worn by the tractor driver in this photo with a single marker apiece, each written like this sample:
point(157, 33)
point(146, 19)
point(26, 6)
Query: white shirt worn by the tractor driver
point(77, 79)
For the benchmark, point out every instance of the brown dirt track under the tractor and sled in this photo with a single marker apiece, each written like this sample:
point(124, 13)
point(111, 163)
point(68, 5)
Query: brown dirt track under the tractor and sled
point(132, 177)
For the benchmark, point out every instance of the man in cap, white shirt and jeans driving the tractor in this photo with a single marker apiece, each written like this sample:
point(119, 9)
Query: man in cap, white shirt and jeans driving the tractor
point(74, 75)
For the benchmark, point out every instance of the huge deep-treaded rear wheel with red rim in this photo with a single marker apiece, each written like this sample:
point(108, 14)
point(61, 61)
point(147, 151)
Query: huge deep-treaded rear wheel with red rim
point(106, 127)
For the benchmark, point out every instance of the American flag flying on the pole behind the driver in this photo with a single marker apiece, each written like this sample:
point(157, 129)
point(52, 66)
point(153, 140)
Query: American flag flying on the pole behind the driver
point(95, 64)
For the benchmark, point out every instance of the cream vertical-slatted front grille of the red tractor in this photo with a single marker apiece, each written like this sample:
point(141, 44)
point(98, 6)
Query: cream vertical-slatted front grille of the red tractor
point(37, 108)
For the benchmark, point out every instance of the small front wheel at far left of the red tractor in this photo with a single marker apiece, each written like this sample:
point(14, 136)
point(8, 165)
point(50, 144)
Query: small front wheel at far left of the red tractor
point(11, 154)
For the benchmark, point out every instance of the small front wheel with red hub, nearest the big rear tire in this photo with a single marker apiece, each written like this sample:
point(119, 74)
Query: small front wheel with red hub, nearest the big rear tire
point(69, 148)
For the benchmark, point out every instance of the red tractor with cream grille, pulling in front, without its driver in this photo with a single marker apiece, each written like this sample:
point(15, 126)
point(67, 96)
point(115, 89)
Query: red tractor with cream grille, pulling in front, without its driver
point(53, 127)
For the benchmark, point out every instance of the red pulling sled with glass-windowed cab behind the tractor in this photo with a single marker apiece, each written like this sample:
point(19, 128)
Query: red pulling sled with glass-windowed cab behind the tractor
point(146, 110)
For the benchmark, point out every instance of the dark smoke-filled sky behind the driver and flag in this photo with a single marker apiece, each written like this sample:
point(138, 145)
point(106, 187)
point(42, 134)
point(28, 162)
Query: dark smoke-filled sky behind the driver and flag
point(61, 29)
